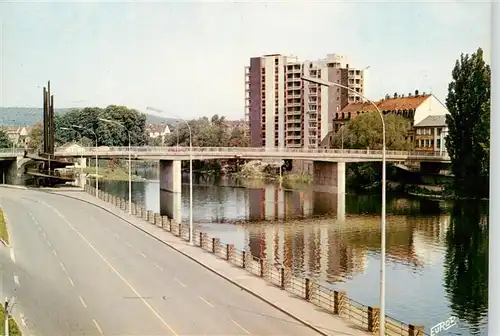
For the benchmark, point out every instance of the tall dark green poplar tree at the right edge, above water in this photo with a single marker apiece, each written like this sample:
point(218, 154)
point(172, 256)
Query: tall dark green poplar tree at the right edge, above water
point(468, 138)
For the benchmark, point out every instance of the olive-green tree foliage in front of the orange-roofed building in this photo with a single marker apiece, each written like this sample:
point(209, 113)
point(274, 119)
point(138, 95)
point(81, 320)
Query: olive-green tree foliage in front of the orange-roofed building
point(365, 131)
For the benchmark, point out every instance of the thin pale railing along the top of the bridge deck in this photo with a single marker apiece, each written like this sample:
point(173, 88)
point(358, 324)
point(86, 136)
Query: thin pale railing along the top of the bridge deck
point(241, 150)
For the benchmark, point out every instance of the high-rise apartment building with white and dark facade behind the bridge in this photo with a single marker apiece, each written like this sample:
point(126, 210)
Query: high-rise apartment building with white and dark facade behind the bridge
point(284, 111)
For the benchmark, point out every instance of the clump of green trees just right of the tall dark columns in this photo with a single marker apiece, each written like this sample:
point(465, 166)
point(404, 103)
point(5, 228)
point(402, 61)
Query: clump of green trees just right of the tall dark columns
point(108, 134)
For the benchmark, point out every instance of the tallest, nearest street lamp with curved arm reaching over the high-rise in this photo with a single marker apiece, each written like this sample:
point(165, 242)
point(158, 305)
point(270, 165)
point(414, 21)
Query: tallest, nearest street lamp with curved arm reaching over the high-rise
point(383, 216)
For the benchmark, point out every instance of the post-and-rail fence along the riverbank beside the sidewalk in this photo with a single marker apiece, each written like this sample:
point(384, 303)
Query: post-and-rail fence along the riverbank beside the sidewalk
point(333, 301)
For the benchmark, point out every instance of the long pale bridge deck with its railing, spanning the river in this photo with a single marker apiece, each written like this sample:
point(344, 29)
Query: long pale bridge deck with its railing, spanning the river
point(210, 153)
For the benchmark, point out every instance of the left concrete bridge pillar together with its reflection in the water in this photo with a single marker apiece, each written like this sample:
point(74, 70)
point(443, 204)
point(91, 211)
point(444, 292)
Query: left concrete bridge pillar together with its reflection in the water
point(170, 189)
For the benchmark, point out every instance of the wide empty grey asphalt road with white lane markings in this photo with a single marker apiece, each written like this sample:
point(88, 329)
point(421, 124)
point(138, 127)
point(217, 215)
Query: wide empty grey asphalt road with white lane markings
point(78, 270)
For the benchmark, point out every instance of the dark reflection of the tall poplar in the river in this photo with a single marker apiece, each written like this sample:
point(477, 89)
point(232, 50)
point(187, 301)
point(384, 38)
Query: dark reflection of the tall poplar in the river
point(466, 262)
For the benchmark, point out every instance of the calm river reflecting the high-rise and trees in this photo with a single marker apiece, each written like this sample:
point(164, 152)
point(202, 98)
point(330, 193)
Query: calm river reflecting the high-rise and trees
point(437, 252)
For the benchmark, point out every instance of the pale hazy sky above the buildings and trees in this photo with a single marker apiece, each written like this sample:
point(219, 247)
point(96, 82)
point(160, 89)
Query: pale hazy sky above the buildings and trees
point(188, 58)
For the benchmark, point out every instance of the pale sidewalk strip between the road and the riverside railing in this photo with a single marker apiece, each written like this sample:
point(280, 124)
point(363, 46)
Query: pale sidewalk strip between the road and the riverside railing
point(305, 312)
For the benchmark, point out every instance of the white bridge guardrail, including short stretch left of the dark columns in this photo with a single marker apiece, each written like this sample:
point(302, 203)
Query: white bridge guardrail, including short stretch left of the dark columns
point(233, 151)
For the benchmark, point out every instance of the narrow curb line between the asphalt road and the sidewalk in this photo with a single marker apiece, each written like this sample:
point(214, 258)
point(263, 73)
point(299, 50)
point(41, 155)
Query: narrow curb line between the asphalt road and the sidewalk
point(246, 289)
